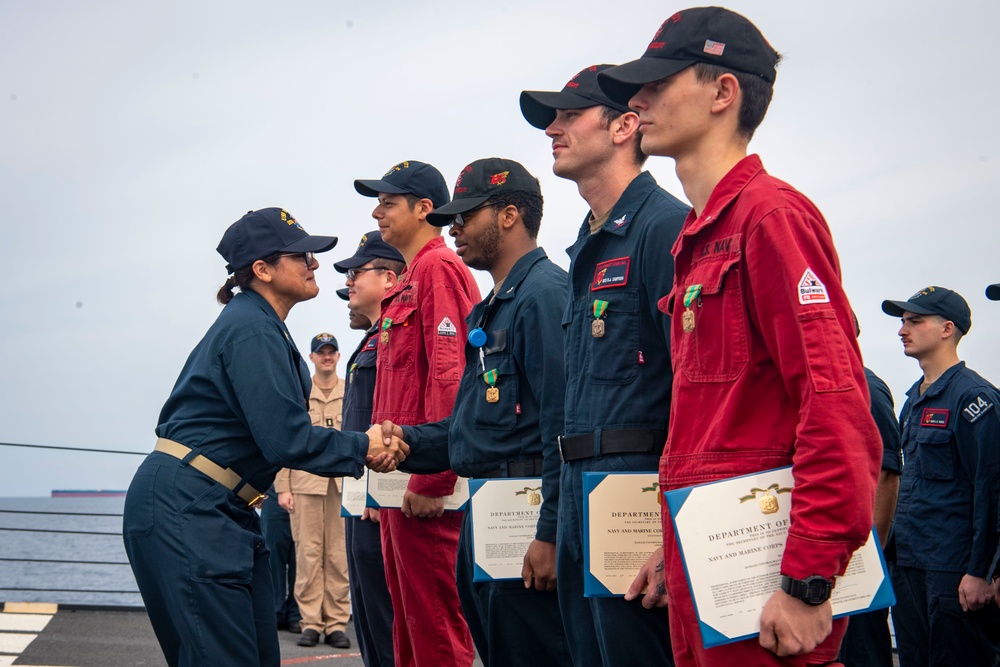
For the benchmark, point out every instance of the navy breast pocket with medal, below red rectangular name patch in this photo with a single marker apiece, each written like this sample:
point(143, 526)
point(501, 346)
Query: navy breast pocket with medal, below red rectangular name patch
point(614, 355)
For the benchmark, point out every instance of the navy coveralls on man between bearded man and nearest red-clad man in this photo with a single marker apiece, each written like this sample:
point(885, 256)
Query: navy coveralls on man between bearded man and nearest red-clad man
point(617, 402)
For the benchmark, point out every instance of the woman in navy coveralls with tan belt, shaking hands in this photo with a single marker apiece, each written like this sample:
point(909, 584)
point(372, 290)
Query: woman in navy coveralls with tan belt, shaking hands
point(237, 411)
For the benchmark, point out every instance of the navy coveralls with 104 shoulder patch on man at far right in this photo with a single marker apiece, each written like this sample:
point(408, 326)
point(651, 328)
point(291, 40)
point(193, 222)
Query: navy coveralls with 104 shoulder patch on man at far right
point(946, 519)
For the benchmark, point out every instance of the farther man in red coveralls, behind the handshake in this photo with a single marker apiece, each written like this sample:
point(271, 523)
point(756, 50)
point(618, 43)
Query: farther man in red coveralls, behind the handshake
point(420, 361)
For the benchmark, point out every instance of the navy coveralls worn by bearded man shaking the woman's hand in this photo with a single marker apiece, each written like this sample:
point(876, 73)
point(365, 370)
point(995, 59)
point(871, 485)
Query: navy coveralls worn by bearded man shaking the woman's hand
point(506, 439)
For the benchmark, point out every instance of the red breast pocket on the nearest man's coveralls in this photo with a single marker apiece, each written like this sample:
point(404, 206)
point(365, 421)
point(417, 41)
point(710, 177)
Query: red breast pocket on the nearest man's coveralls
point(716, 348)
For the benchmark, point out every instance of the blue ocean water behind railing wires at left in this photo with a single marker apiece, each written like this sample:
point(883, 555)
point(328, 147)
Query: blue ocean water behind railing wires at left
point(97, 572)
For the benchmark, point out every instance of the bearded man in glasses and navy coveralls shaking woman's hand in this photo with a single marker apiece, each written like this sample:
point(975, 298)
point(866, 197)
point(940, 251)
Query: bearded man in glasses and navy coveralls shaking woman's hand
point(508, 411)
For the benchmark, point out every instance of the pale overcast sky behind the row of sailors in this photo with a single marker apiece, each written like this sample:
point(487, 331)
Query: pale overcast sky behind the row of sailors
point(133, 133)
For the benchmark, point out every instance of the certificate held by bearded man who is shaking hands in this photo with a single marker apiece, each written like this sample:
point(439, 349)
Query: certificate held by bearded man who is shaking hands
point(504, 515)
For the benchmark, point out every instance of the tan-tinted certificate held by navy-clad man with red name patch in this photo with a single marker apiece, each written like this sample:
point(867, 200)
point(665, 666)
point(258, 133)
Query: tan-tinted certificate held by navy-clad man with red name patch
point(622, 526)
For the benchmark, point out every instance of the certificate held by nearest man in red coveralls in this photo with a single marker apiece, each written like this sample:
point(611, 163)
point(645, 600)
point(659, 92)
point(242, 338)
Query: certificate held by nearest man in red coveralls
point(732, 535)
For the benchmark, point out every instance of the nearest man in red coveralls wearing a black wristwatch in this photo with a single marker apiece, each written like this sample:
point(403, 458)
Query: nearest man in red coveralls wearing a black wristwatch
point(767, 371)
